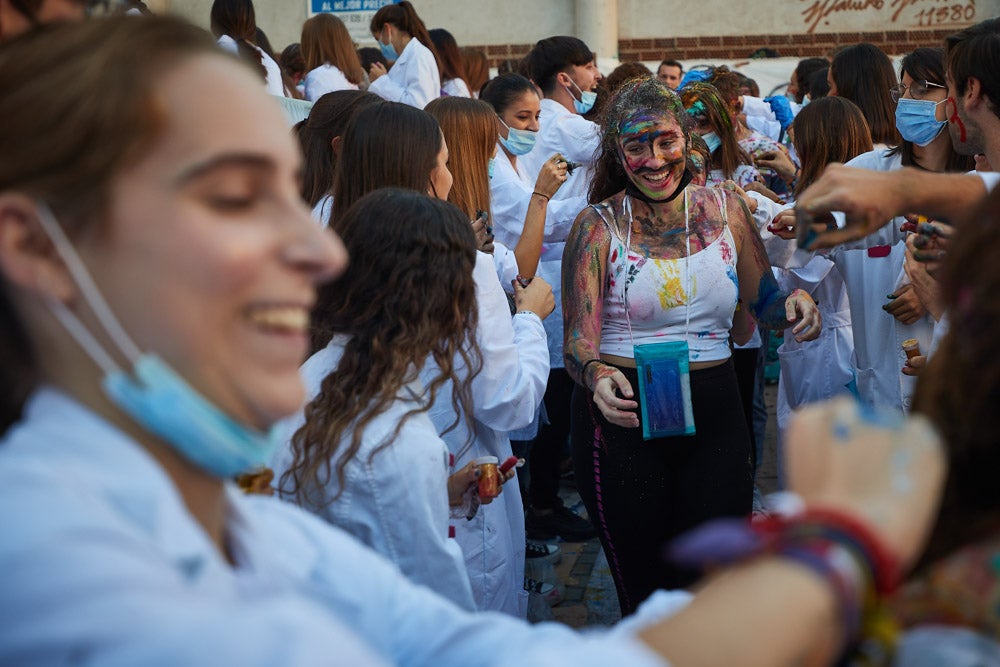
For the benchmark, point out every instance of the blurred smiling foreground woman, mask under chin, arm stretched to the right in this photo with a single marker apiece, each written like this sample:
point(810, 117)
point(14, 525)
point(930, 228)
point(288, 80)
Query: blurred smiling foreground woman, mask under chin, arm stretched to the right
point(120, 423)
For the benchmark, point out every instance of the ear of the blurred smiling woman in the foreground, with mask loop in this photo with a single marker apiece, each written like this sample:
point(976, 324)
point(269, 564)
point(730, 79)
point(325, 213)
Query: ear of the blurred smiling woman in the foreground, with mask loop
point(28, 259)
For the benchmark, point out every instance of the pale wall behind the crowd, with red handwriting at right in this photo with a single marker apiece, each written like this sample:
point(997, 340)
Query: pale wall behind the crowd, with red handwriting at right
point(526, 21)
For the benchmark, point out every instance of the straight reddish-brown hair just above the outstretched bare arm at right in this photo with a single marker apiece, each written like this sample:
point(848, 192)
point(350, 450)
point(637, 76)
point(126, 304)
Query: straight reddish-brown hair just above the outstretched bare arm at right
point(831, 129)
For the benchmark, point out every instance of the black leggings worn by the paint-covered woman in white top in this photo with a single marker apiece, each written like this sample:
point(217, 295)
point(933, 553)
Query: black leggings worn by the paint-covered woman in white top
point(641, 494)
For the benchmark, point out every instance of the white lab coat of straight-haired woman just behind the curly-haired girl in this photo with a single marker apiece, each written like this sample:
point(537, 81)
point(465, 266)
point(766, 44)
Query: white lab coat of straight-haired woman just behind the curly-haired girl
point(505, 396)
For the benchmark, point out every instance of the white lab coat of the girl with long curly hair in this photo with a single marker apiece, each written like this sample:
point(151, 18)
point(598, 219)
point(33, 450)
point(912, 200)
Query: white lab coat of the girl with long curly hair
point(395, 501)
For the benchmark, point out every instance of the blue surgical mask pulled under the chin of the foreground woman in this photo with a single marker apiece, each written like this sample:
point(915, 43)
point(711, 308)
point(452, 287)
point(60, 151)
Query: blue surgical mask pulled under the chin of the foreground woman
point(153, 394)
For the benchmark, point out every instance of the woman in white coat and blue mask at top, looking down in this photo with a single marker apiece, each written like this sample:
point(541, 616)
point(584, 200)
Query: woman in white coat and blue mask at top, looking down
point(415, 75)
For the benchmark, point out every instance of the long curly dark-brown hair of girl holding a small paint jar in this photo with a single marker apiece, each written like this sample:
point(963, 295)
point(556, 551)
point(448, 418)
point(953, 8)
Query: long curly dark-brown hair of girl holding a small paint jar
point(409, 298)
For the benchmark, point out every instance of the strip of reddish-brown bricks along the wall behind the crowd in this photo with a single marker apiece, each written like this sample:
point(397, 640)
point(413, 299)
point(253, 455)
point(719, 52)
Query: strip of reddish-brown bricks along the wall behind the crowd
point(736, 47)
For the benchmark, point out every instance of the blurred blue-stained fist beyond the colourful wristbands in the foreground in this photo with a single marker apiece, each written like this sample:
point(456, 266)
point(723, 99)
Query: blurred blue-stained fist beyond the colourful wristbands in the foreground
point(877, 466)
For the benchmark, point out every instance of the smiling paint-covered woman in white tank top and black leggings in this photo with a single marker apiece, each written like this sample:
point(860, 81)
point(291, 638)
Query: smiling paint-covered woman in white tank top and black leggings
point(655, 270)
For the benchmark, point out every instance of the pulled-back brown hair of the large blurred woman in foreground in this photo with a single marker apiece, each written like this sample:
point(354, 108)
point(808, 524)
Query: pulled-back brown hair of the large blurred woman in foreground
point(69, 129)
